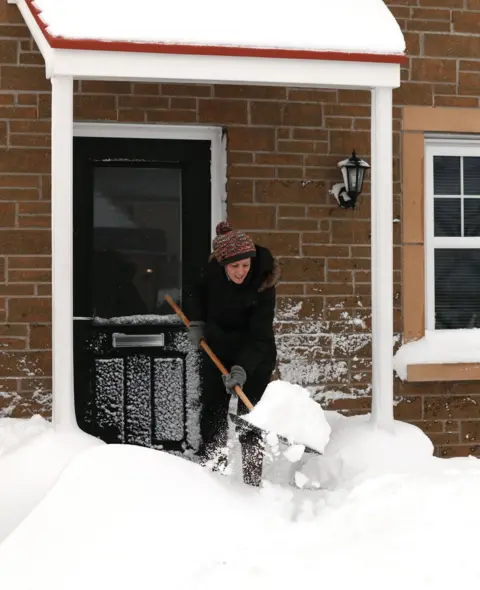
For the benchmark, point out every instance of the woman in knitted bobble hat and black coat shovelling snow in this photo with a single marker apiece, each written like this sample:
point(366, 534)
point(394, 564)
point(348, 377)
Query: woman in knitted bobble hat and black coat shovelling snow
point(232, 307)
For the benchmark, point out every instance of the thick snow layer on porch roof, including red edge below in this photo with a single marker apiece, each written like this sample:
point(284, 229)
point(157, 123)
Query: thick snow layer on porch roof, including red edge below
point(267, 28)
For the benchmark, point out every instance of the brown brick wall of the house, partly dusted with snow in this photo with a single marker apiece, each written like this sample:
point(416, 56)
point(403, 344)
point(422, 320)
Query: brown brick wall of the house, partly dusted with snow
point(283, 146)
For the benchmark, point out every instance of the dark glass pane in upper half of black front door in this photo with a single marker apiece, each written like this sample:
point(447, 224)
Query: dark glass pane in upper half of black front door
point(137, 239)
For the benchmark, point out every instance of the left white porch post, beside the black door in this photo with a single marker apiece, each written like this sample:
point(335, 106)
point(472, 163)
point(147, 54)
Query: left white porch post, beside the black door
point(62, 253)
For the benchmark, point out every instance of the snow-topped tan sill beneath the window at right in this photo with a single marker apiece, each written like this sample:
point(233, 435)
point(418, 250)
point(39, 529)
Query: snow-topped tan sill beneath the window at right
point(441, 355)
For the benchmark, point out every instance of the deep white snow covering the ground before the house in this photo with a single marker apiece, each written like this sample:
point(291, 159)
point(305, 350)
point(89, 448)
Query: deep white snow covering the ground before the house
point(389, 515)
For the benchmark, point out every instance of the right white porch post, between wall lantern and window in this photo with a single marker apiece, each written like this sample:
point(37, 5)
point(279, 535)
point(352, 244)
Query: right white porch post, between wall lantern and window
point(382, 258)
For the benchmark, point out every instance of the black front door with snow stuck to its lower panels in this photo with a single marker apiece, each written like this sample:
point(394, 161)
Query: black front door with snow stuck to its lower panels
point(142, 211)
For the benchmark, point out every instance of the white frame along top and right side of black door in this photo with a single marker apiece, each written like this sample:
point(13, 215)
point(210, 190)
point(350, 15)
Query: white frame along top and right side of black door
point(218, 171)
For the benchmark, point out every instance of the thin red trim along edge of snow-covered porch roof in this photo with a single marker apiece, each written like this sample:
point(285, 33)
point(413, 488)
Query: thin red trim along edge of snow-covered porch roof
point(130, 46)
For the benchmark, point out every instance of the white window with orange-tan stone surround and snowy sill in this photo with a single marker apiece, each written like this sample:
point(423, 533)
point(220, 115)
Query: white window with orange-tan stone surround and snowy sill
point(441, 244)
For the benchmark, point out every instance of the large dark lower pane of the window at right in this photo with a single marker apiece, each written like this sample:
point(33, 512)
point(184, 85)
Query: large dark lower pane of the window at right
point(457, 289)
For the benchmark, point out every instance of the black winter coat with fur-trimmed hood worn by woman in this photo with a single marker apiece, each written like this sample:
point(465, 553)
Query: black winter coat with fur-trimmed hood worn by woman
point(238, 318)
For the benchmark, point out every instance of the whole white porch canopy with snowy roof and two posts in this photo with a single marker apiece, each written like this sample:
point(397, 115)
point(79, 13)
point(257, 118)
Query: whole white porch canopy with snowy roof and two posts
point(310, 43)
